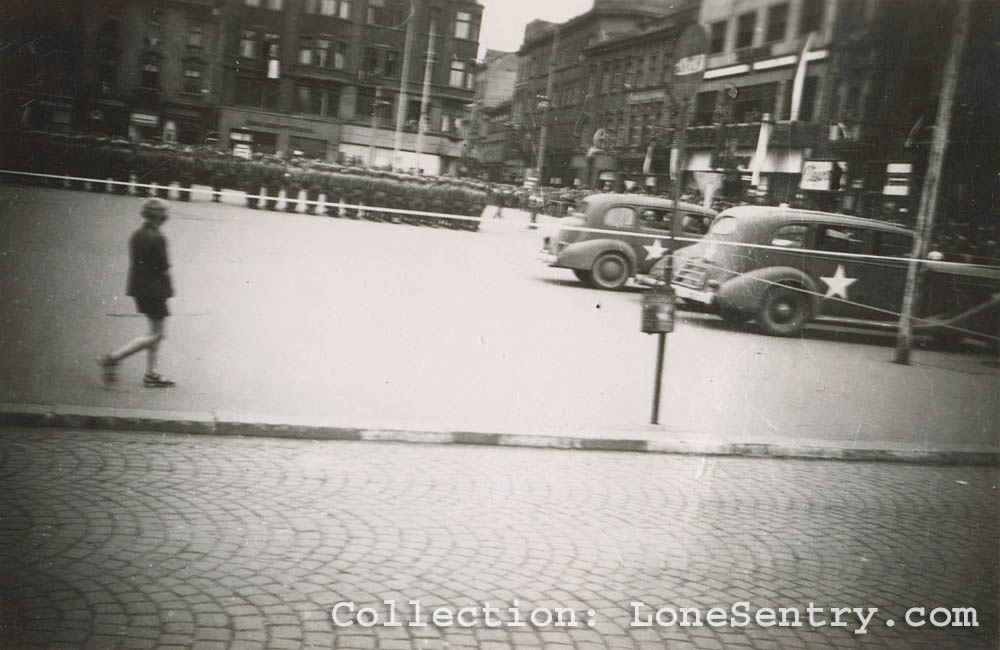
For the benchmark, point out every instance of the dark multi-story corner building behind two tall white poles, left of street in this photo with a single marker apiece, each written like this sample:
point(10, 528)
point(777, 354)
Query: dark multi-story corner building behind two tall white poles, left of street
point(323, 77)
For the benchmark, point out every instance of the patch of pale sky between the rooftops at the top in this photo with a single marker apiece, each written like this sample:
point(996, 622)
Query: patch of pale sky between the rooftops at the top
point(504, 20)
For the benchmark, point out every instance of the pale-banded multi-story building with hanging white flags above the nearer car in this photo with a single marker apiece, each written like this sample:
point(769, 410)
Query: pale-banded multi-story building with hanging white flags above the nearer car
point(764, 96)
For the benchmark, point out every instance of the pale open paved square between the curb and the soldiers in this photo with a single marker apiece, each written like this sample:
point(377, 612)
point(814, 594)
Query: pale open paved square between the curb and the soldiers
point(391, 326)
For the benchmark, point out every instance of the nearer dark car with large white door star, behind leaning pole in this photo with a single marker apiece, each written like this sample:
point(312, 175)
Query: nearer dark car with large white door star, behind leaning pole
point(784, 267)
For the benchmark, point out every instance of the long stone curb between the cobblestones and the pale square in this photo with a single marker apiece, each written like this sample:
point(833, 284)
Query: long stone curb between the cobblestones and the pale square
point(112, 419)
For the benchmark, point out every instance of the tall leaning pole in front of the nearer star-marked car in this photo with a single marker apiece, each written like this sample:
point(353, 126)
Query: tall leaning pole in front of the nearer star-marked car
point(927, 210)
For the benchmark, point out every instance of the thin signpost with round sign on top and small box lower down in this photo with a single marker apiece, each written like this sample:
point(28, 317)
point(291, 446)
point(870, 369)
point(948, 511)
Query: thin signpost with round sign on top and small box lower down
point(659, 304)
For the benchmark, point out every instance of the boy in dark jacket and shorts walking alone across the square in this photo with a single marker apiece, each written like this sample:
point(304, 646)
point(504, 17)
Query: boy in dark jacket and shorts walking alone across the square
point(149, 284)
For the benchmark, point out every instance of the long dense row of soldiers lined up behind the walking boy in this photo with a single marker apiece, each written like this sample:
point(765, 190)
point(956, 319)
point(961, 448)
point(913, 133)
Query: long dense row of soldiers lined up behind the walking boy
point(264, 180)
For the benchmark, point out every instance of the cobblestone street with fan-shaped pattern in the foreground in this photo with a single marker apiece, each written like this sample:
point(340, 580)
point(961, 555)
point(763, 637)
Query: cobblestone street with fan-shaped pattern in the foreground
point(118, 540)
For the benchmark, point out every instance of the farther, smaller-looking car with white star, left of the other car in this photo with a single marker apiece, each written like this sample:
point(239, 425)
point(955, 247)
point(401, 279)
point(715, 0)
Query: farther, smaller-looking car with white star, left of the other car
point(609, 238)
